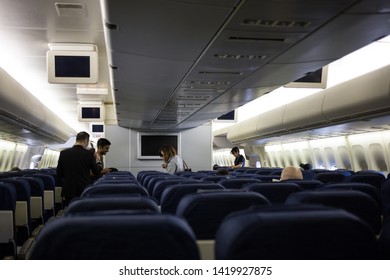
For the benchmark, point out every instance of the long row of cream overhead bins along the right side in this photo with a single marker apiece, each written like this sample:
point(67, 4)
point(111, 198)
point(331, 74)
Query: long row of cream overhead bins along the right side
point(366, 96)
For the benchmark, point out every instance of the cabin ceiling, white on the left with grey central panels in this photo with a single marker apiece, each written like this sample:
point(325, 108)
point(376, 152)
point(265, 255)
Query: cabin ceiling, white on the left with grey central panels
point(172, 65)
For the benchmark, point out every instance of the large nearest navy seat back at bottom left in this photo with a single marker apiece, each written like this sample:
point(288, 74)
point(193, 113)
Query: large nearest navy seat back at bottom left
point(141, 237)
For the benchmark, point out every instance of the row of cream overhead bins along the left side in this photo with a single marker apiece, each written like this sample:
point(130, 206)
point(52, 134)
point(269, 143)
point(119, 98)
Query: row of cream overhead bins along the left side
point(23, 115)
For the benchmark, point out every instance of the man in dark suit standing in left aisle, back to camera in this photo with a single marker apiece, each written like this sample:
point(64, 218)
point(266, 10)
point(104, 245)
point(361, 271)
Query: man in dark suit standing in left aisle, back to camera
point(74, 167)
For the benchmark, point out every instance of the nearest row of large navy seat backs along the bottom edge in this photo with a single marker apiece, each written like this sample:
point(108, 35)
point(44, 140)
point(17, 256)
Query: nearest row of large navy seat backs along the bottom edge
point(263, 232)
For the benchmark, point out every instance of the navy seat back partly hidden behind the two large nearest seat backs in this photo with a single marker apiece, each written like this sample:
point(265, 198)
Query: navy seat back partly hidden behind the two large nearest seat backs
point(205, 211)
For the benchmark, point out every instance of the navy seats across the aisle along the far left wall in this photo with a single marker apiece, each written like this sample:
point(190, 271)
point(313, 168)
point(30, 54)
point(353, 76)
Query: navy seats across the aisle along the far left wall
point(26, 202)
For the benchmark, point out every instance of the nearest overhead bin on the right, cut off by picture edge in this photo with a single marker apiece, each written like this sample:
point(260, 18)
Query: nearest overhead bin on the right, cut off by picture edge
point(364, 96)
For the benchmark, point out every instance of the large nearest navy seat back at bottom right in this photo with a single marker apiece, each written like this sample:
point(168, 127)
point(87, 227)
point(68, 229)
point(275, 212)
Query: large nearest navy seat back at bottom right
point(296, 232)
